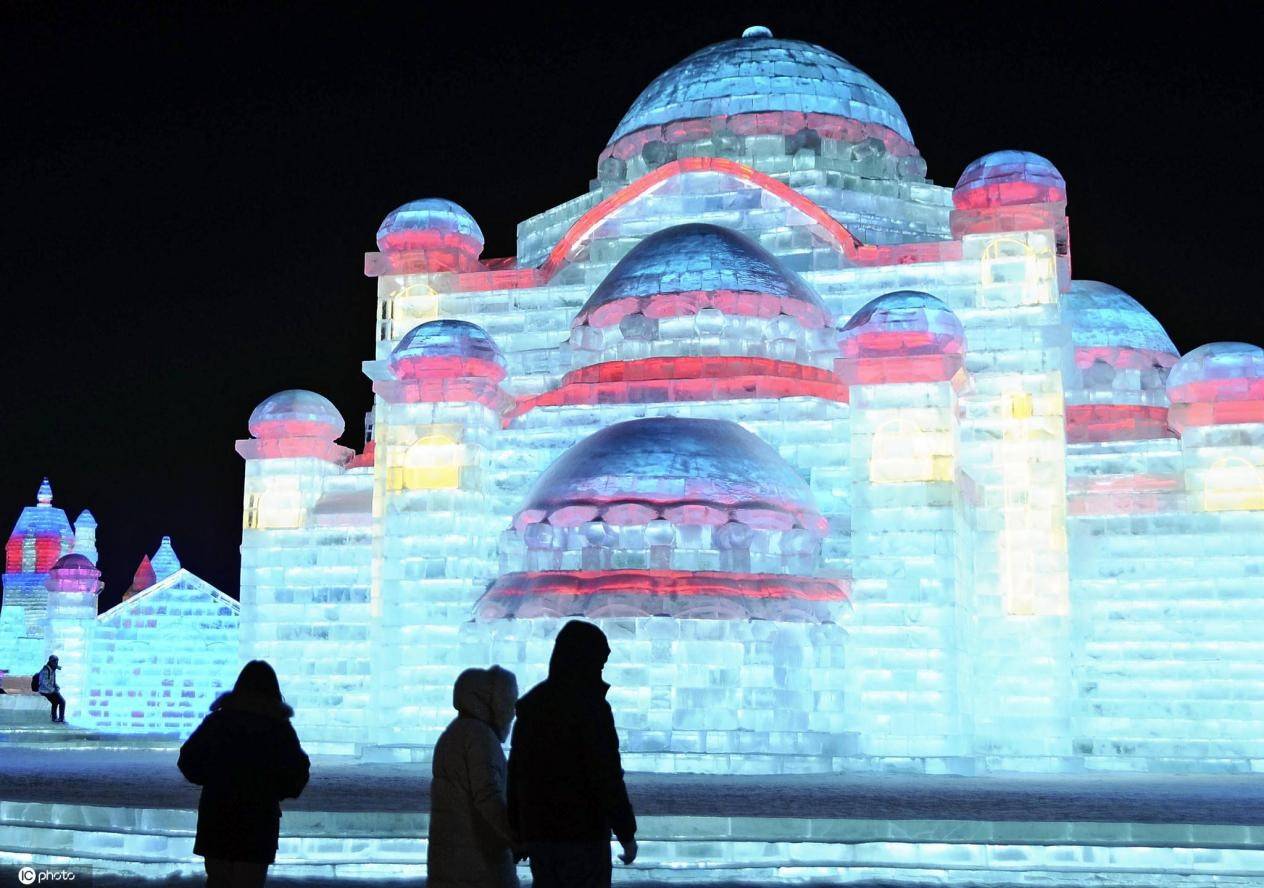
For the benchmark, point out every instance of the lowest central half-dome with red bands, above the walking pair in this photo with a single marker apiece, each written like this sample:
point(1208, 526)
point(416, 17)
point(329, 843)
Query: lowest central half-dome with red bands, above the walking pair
point(668, 516)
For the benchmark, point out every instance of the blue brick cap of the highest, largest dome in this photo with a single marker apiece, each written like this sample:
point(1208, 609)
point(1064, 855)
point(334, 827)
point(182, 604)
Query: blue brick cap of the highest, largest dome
point(758, 74)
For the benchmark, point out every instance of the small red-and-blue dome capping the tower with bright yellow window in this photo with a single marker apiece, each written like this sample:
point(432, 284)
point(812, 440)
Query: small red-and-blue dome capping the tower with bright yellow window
point(444, 349)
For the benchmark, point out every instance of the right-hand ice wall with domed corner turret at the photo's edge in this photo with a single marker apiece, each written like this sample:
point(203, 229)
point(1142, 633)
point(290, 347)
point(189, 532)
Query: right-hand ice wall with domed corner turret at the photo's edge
point(1167, 582)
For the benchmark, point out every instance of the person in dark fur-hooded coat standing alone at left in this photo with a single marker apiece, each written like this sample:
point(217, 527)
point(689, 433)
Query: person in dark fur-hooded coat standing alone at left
point(246, 756)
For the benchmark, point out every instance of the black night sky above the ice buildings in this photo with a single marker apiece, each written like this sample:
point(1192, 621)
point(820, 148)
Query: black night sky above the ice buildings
point(189, 190)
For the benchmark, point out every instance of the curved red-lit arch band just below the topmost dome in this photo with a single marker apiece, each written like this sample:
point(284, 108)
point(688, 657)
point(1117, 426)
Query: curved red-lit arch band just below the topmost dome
point(588, 223)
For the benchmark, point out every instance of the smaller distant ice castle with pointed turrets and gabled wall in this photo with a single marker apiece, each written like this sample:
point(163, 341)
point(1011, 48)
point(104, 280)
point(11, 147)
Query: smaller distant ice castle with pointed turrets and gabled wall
point(152, 665)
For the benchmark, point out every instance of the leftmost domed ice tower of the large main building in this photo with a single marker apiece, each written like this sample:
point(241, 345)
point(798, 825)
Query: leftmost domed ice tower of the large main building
point(307, 565)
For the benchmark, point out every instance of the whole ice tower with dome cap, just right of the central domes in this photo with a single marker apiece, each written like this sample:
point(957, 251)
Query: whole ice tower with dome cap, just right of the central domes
point(902, 356)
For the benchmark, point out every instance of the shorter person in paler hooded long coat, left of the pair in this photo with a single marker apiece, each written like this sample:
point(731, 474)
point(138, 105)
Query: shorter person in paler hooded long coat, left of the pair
point(472, 844)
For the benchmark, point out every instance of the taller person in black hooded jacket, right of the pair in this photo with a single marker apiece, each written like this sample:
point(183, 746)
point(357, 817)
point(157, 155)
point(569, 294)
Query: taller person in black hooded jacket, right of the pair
point(567, 791)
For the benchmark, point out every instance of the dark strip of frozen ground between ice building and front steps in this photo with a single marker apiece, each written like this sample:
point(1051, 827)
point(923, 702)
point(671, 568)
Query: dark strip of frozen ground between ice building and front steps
point(137, 779)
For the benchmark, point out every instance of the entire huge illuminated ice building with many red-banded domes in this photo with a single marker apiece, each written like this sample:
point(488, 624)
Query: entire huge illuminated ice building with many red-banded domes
point(850, 468)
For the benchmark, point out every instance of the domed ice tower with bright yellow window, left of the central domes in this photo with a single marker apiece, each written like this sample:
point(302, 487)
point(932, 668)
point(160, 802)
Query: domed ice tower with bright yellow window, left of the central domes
point(438, 417)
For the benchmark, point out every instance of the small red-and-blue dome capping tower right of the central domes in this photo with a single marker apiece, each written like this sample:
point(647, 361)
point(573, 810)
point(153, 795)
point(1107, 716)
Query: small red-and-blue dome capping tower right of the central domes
point(903, 324)
